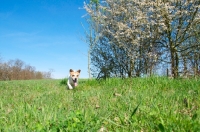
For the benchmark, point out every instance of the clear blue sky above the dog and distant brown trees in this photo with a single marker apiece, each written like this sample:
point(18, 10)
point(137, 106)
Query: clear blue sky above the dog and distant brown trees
point(46, 34)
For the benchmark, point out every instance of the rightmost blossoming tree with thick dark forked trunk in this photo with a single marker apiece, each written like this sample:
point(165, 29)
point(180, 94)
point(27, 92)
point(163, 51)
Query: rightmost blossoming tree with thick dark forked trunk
point(175, 19)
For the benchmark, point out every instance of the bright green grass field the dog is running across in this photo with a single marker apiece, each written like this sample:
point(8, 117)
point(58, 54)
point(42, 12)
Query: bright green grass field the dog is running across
point(138, 104)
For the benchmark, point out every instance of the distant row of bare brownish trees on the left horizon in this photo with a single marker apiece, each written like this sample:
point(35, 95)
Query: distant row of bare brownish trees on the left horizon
point(18, 70)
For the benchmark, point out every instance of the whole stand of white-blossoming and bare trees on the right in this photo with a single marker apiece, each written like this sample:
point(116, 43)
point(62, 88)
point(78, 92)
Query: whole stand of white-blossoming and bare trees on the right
point(134, 38)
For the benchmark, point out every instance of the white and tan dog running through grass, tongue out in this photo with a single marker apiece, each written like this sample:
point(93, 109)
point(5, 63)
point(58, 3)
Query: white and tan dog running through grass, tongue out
point(73, 78)
